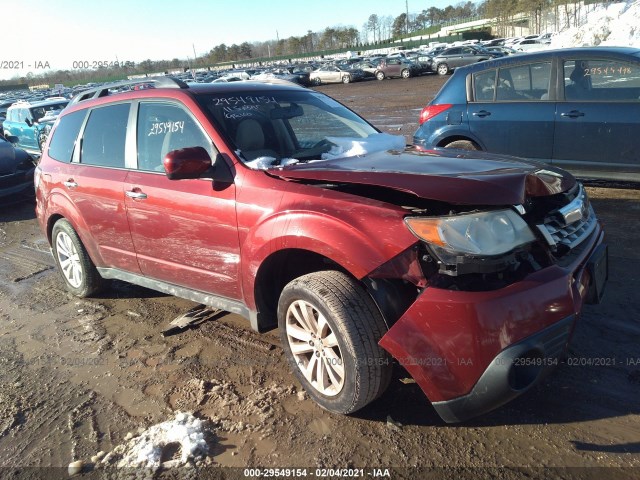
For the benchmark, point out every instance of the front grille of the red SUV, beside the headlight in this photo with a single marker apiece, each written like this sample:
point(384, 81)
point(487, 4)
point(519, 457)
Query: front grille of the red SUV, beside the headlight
point(570, 225)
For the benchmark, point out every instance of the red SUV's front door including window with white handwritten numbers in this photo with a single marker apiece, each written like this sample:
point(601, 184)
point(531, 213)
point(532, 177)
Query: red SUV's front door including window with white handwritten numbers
point(184, 231)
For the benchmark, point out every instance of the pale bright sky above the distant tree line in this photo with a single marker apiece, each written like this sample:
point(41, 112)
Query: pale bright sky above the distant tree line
point(63, 31)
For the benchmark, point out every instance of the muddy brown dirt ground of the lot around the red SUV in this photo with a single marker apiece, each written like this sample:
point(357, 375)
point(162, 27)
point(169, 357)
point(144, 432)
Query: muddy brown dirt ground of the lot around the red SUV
point(78, 375)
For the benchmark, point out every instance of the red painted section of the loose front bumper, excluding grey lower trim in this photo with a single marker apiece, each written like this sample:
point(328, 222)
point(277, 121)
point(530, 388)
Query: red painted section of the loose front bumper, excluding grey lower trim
point(447, 338)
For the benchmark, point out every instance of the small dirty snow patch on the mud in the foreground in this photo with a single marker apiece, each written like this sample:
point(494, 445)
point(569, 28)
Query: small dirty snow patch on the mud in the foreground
point(146, 449)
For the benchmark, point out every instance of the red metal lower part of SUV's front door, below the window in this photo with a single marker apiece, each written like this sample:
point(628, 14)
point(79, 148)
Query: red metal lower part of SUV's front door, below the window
point(187, 238)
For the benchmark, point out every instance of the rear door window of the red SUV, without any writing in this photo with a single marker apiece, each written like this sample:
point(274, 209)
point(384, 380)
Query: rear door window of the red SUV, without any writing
point(104, 136)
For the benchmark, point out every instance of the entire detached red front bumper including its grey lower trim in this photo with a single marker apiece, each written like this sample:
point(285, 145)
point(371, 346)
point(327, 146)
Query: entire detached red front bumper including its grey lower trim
point(471, 352)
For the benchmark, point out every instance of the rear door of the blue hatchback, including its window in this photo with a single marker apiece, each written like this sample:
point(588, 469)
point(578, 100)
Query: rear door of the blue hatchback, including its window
point(511, 111)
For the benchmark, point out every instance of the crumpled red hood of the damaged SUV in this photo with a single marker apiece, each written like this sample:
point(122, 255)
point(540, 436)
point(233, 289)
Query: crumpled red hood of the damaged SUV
point(451, 176)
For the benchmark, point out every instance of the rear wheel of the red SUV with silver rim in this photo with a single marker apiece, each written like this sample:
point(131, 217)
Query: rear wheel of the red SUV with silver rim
point(74, 264)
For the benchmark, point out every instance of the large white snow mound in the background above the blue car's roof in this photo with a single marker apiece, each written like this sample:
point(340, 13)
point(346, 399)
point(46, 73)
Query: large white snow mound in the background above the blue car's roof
point(616, 24)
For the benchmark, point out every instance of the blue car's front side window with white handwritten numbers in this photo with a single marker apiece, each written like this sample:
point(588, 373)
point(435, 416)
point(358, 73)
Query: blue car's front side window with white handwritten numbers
point(601, 80)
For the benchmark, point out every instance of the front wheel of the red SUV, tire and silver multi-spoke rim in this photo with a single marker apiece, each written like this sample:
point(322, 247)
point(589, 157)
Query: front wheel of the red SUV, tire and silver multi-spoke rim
point(329, 316)
